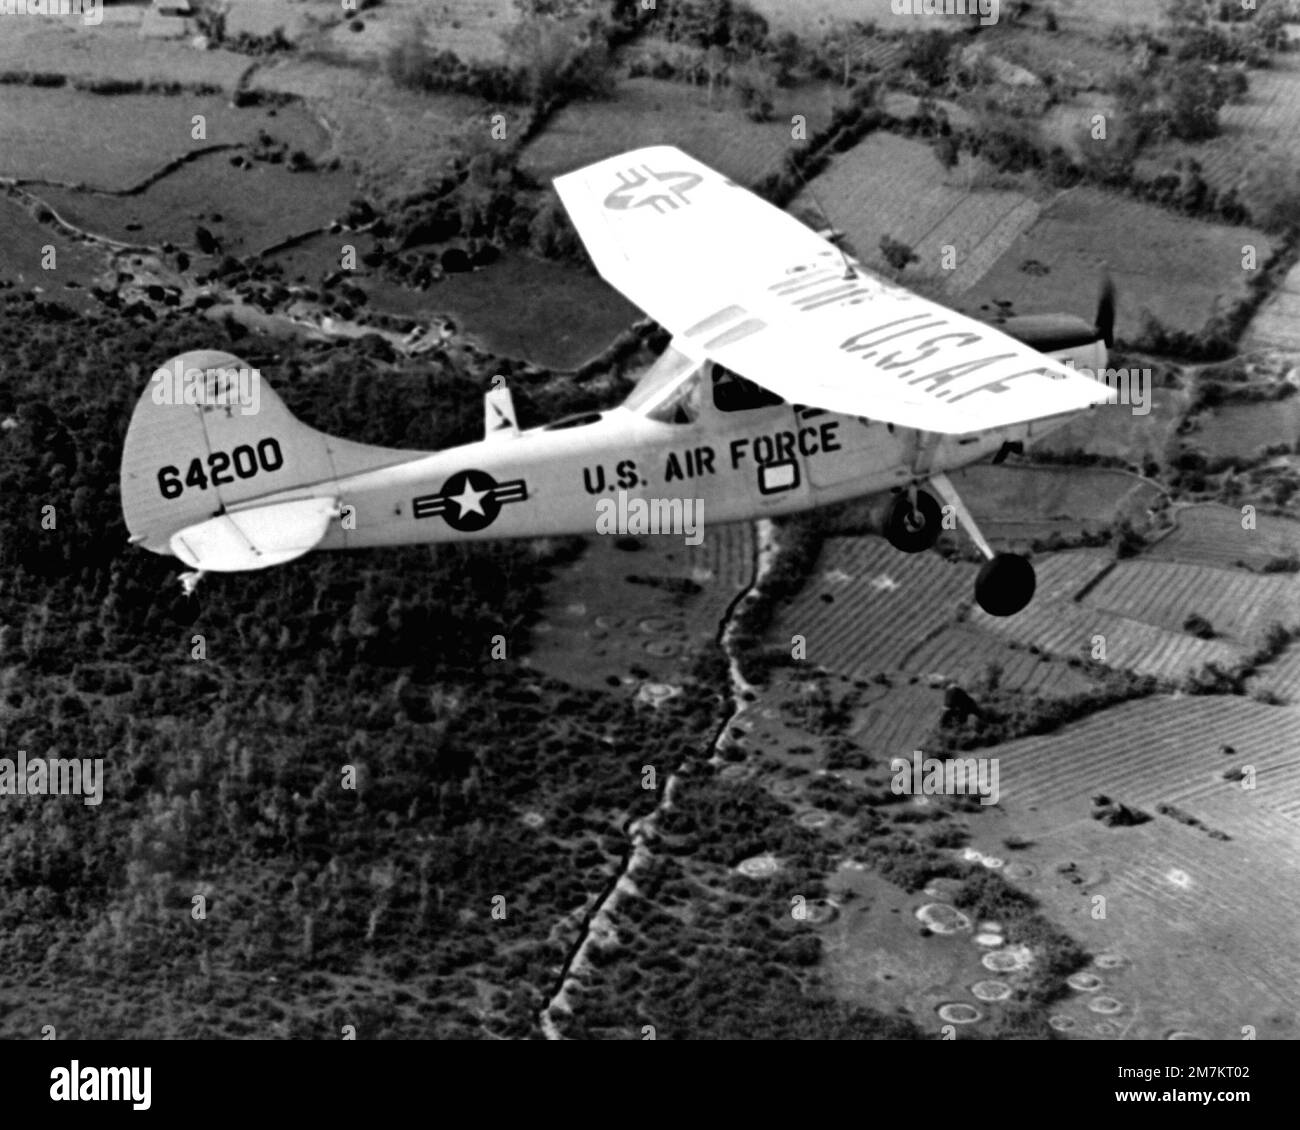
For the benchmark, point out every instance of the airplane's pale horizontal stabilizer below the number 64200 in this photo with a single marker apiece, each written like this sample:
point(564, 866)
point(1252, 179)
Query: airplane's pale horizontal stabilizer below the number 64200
point(255, 539)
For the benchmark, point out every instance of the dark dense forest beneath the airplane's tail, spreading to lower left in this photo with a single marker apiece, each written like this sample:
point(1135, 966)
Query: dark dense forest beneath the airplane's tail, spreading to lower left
point(327, 806)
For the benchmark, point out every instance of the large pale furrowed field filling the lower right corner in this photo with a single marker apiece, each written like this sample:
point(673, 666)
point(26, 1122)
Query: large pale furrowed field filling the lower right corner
point(1177, 898)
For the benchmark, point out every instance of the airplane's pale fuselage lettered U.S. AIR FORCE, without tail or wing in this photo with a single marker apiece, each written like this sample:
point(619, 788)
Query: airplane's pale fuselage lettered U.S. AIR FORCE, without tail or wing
point(544, 482)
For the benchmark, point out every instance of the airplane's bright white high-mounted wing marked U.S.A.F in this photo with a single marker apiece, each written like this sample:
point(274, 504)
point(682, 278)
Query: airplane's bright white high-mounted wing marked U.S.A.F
point(742, 283)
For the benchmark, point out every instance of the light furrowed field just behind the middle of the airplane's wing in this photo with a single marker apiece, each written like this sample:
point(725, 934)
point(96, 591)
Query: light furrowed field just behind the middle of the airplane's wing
point(895, 187)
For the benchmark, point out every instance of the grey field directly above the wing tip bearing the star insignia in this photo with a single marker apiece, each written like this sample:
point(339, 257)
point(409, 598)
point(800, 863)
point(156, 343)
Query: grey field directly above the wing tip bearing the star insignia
point(651, 112)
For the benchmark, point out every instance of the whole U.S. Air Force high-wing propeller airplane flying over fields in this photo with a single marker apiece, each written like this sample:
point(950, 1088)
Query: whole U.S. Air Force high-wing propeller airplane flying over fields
point(794, 379)
